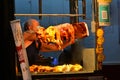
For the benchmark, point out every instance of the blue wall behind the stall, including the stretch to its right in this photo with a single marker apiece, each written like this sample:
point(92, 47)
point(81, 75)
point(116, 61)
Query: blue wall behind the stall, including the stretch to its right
point(112, 40)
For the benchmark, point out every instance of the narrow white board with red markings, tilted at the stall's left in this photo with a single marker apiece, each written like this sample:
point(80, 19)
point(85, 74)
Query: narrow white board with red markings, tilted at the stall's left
point(19, 42)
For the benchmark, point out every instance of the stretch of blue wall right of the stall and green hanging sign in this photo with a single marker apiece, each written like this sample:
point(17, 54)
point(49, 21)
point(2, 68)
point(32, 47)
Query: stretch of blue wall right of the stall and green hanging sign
point(112, 36)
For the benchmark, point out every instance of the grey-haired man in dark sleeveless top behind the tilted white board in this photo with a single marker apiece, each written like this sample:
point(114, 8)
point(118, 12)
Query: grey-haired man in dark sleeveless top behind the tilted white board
point(30, 40)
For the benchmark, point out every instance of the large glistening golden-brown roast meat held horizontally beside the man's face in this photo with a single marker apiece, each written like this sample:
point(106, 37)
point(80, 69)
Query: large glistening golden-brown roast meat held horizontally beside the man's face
point(60, 36)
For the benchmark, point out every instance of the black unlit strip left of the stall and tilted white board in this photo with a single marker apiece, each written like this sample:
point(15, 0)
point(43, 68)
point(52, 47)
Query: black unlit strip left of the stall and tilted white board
point(7, 57)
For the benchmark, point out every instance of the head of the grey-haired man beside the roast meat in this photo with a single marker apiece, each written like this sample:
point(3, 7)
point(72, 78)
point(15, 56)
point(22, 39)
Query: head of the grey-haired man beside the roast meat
point(31, 24)
